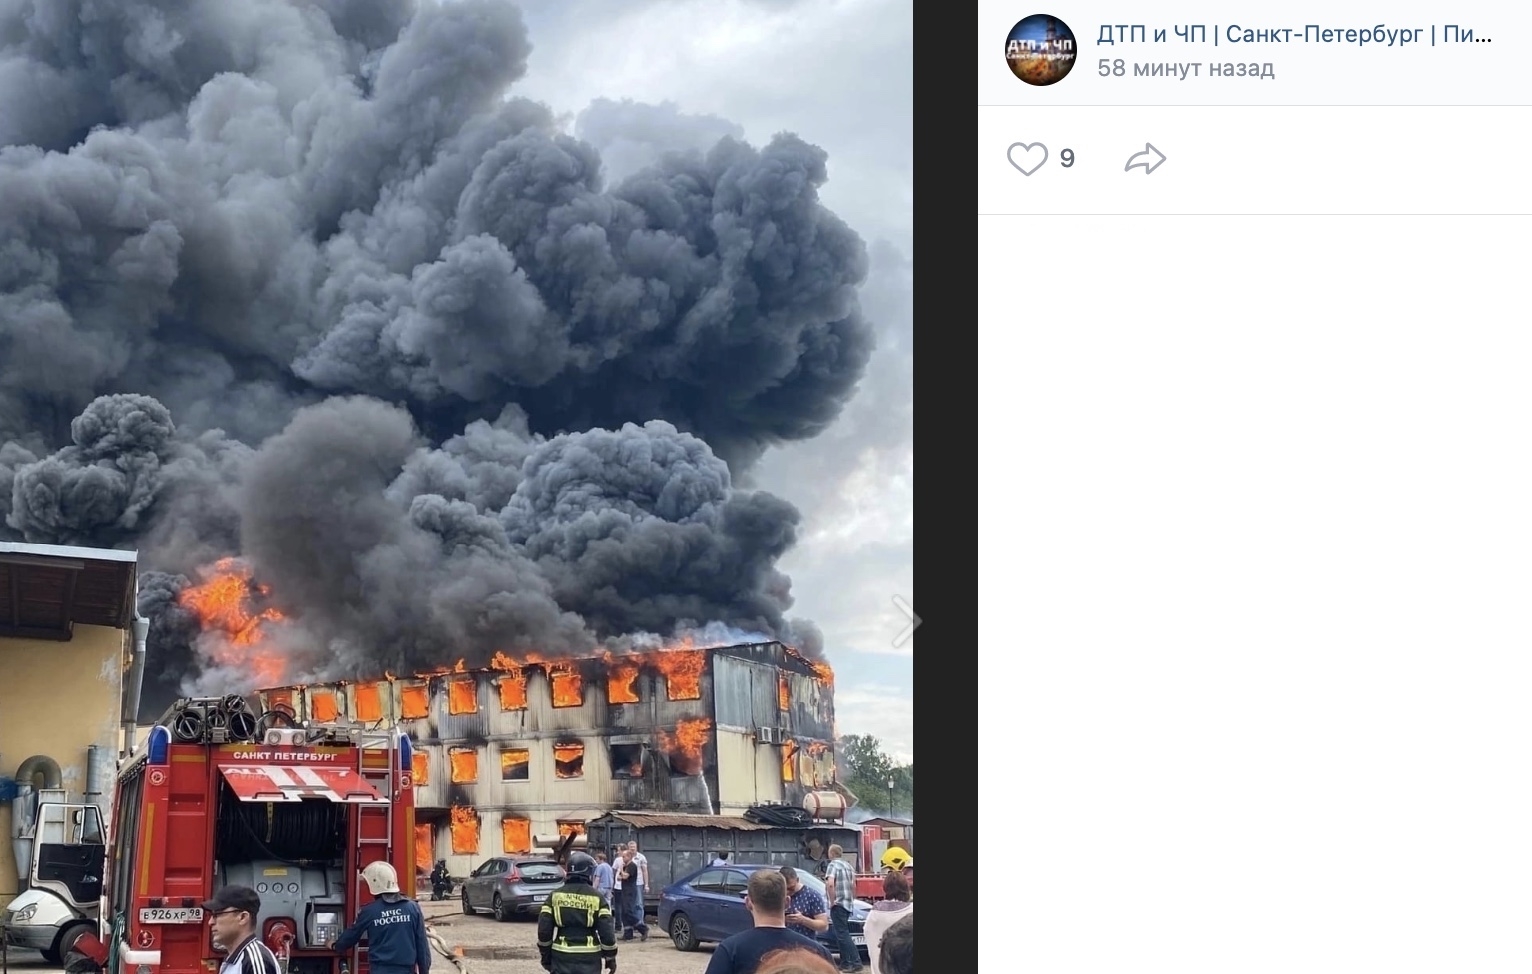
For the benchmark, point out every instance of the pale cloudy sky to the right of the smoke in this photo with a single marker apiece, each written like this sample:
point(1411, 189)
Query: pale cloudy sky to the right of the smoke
point(635, 77)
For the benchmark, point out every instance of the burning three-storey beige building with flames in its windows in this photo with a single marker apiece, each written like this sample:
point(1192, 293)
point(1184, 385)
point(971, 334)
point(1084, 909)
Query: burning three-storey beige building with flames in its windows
point(512, 757)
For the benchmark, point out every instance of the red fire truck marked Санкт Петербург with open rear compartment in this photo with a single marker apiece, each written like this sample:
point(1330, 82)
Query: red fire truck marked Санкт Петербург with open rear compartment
point(224, 796)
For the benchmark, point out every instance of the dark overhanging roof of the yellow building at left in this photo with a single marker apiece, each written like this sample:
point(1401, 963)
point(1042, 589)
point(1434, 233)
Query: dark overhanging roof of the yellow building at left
point(47, 590)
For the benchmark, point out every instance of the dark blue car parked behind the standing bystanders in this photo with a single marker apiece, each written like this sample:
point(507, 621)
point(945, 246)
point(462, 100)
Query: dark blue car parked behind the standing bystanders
point(709, 906)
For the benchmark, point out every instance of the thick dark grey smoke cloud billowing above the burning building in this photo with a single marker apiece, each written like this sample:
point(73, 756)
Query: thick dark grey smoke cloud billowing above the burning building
point(298, 283)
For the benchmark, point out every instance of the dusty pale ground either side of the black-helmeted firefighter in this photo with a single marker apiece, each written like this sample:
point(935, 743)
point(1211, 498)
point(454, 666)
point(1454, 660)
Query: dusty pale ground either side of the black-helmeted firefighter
point(512, 949)
